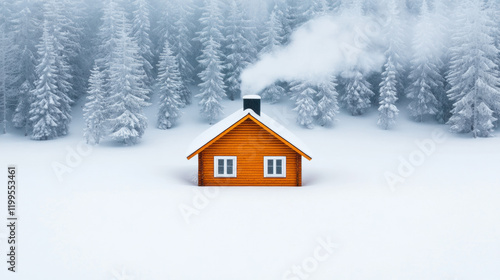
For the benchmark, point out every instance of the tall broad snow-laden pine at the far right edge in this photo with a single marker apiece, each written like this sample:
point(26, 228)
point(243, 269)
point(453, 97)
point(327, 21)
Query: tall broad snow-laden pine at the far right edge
point(473, 75)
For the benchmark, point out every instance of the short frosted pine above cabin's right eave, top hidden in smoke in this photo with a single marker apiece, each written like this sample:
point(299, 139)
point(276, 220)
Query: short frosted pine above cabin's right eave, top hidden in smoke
point(303, 94)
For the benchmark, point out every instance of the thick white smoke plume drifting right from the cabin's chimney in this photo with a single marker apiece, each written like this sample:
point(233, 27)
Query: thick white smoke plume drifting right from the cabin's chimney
point(320, 48)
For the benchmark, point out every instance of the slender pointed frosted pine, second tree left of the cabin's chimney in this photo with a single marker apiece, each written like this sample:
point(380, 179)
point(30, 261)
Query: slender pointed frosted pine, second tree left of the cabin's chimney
point(170, 84)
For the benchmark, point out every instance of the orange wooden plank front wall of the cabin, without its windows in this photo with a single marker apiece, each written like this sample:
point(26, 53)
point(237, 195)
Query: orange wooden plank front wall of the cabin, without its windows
point(249, 143)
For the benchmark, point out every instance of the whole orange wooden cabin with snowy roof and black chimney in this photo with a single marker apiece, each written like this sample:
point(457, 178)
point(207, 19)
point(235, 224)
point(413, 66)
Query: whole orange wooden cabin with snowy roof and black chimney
point(248, 149)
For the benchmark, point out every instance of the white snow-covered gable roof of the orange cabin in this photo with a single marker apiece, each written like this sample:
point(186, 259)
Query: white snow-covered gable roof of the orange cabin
point(218, 128)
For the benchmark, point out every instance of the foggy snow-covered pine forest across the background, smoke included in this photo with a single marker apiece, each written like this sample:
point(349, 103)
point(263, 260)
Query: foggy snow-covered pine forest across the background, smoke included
point(436, 59)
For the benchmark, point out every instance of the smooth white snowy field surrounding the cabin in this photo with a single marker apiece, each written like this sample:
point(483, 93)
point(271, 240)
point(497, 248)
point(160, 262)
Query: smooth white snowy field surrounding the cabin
point(117, 214)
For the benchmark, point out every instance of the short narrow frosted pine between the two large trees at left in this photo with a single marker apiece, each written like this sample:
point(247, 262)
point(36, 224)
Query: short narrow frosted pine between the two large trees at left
point(94, 109)
